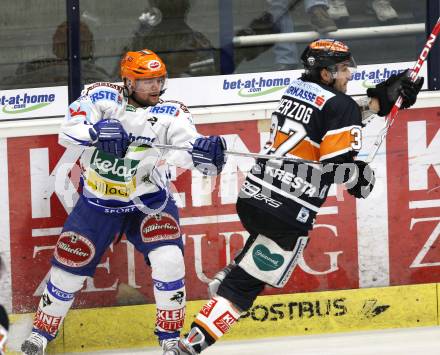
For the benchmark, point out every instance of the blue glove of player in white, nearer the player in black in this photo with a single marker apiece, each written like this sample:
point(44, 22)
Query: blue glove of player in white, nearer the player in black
point(208, 154)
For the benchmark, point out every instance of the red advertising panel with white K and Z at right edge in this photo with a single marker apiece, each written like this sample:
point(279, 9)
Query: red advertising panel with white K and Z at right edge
point(413, 149)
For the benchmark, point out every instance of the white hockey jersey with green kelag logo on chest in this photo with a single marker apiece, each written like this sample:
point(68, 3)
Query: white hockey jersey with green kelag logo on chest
point(114, 184)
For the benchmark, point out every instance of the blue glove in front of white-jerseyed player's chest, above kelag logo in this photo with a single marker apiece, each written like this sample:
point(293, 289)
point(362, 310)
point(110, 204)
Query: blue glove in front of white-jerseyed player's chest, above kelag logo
point(109, 136)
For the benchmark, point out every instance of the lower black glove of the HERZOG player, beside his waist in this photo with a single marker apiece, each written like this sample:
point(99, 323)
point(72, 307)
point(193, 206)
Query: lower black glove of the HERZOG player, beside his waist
point(362, 181)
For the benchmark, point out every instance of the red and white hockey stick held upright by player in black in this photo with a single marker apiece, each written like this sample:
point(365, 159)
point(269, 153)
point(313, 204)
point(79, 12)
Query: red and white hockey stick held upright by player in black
point(389, 119)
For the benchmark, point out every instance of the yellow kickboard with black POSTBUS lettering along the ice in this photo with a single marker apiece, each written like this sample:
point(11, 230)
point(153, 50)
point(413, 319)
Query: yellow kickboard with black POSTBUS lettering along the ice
point(270, 316)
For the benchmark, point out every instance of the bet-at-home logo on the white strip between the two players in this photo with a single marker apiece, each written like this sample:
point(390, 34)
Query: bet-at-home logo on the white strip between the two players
point(256, 87)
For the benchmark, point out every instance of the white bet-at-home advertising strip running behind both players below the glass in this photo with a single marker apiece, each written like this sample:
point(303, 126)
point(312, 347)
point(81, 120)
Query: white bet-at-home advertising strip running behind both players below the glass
point(204, 91)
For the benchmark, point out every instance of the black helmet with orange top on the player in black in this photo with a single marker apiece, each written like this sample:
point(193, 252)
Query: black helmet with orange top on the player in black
point(324, 53)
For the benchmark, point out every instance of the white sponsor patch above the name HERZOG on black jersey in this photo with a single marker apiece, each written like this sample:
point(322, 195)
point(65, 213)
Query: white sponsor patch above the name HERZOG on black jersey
point(309, 92)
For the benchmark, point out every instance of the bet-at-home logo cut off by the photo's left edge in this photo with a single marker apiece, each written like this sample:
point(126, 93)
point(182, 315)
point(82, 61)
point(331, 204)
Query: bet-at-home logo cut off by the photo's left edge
point(25, 102)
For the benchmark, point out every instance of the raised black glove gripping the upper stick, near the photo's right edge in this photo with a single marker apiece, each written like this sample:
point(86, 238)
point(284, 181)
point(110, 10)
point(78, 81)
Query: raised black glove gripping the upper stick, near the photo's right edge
point(389, 90)
